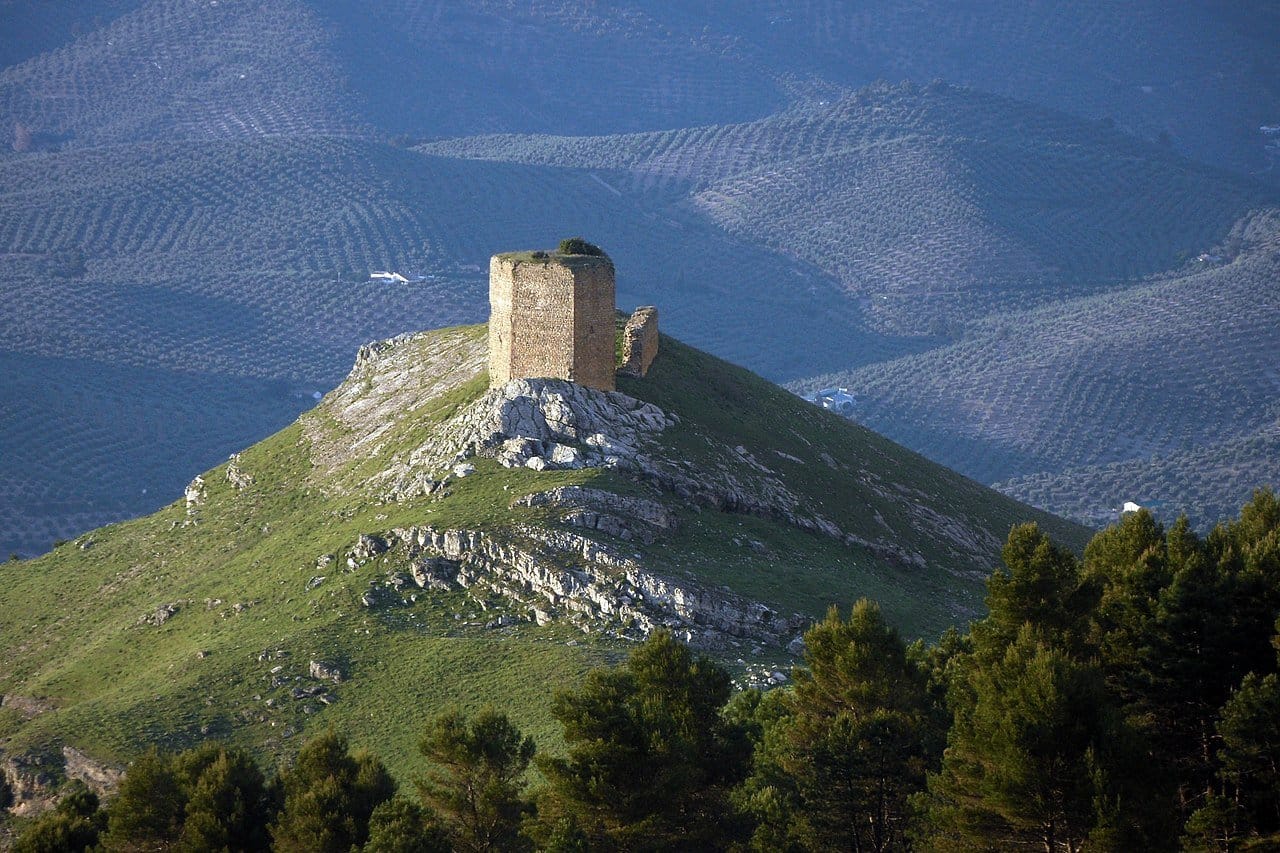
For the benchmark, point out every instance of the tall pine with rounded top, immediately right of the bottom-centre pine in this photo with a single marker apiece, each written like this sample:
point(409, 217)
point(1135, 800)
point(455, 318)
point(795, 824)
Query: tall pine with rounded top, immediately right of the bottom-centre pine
point(853, 745)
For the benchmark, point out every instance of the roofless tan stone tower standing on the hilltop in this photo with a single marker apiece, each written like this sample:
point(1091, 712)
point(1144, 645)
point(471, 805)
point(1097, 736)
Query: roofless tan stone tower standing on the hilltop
point(552, 316)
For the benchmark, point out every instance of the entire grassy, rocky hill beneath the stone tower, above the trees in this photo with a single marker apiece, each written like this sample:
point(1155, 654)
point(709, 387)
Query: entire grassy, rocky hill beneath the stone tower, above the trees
point(419, 540)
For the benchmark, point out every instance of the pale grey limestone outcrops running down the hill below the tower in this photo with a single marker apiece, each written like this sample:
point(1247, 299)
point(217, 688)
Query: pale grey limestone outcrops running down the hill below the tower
point(577, 567)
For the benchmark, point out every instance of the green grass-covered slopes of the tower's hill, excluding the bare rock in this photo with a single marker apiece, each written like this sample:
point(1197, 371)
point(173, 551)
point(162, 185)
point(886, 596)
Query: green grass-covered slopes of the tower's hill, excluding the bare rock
point(253, 606)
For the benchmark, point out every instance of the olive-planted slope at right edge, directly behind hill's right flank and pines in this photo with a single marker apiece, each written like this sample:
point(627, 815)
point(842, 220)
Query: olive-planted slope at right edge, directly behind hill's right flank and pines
point(1164, 393)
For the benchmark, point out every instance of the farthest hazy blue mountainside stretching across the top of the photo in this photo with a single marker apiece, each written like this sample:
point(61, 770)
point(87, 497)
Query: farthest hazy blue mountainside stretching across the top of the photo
point(1201, 76)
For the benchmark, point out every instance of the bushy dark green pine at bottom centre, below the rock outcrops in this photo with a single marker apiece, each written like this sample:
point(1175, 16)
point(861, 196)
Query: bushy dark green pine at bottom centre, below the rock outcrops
point(651, 760)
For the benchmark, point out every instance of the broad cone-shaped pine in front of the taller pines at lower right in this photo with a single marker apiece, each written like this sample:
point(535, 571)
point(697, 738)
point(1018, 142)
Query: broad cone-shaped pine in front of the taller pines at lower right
point(1041, 759)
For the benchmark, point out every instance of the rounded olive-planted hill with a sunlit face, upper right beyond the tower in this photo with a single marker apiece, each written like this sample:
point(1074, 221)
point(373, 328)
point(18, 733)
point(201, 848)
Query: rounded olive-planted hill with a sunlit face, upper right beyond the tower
point(930, 207)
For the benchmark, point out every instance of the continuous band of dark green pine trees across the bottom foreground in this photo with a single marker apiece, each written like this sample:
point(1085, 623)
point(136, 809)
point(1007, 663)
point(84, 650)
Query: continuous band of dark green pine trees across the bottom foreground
point(1124, 703)
